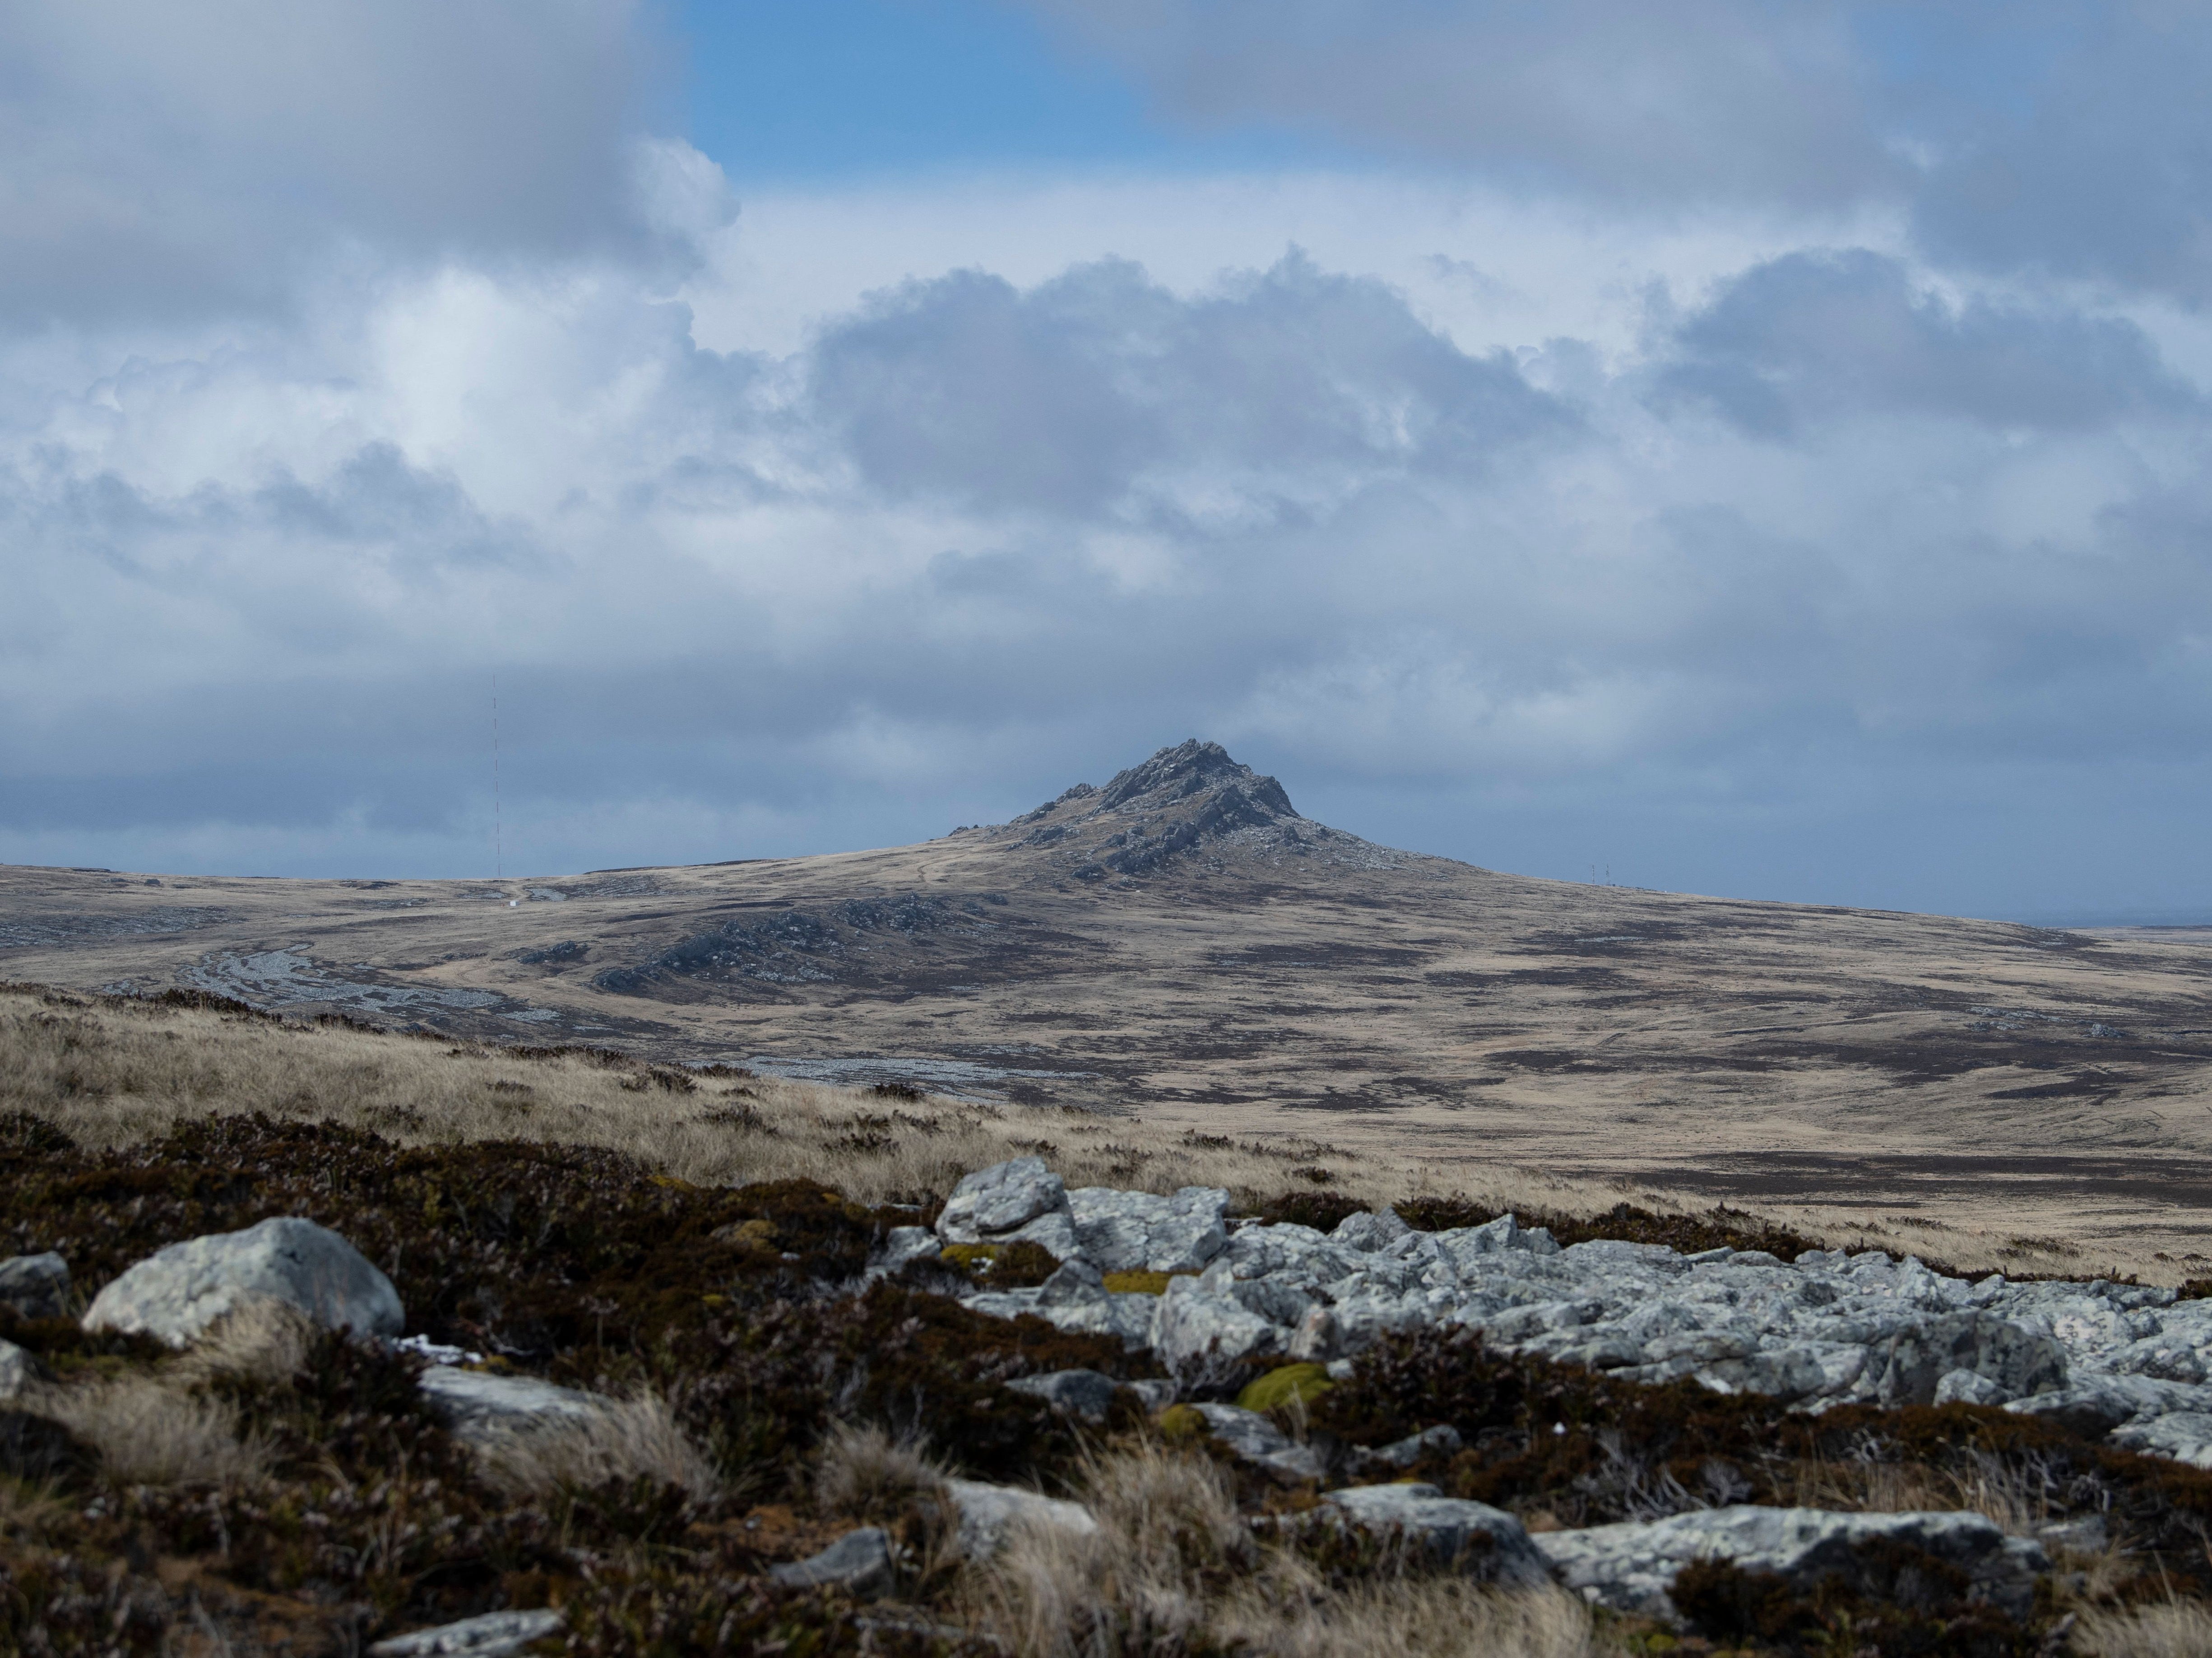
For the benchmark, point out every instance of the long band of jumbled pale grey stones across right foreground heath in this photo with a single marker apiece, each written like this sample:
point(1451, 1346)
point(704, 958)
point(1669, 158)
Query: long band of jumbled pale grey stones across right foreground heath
point(1819, 1331)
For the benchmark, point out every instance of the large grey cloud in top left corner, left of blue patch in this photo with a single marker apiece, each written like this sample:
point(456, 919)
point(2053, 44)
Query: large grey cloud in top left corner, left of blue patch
point(163, 160)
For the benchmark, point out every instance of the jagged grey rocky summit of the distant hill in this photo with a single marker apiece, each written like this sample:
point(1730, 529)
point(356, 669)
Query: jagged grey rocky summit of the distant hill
point(1178, 800)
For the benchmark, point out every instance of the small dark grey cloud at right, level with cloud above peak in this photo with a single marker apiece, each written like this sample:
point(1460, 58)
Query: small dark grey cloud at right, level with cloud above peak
point(1824, 335)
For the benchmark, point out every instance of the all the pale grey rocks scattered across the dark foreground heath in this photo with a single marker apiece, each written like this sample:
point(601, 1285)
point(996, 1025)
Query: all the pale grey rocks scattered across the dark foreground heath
point(1242, 1298)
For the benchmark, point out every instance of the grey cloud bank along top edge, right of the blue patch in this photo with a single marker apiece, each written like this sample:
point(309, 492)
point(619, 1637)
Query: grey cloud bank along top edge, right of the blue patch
point(2054, 138)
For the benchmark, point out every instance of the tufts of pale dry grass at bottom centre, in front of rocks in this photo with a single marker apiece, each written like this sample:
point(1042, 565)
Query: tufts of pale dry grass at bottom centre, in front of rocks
point(1173, 1564)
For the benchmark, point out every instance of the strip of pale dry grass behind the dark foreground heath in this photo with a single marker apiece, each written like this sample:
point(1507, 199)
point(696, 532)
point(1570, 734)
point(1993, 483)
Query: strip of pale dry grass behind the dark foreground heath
point(116, 1072)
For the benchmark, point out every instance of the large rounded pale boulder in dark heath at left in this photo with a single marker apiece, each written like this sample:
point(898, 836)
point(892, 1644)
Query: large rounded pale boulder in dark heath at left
point(182, 1289)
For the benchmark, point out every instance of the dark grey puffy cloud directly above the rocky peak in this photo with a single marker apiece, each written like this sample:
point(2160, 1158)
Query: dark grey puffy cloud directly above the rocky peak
point(1070, 395)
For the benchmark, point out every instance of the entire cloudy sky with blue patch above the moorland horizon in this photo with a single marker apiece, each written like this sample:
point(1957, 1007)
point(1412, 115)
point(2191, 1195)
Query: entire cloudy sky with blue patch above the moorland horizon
point(1744, 446)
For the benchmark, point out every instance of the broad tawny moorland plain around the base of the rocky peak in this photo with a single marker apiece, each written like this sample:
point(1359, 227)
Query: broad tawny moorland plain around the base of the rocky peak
point(1952, 1084)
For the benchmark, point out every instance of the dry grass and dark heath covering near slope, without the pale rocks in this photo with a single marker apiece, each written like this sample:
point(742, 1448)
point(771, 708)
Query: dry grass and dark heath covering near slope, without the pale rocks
point(687, 1245)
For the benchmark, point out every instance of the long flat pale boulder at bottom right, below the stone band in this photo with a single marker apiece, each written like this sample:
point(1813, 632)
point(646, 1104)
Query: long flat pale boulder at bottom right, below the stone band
point(1631, 1566)
